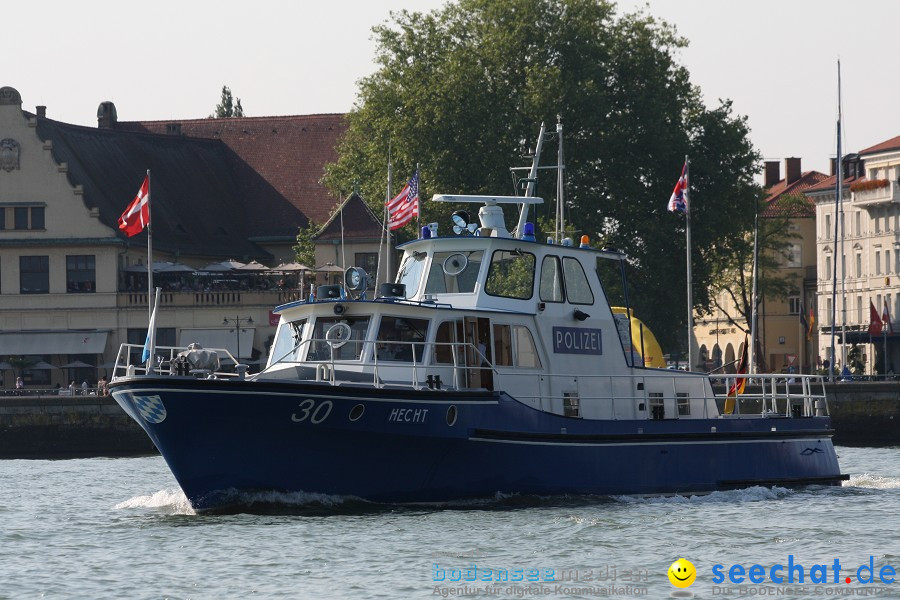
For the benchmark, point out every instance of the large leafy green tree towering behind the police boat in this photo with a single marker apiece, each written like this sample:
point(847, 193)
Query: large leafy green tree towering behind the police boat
point(461, 92)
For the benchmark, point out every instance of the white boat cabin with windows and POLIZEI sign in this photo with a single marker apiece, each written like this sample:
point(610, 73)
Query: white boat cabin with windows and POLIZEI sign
point(487, 310)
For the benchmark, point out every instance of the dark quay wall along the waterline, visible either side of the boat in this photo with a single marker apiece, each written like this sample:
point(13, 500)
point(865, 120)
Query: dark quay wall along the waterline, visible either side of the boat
point(863, 414)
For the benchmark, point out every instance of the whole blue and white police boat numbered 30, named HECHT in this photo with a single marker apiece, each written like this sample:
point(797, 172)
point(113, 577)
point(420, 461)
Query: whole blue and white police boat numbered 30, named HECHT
point(493, 363)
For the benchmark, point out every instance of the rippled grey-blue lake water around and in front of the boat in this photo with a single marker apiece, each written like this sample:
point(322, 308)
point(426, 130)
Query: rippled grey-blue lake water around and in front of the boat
point(121, 528)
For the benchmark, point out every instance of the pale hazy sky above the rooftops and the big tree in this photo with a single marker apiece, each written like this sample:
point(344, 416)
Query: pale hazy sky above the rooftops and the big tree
point(775, 59)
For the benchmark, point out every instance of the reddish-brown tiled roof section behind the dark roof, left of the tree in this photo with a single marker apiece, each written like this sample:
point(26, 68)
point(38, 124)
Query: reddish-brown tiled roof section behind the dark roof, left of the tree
point(277, 163)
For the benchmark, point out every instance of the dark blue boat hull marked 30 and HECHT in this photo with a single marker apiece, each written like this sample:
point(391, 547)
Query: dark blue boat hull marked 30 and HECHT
point(222, 438)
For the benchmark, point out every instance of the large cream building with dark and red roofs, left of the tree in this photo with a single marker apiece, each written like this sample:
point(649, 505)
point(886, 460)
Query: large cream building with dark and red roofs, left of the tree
point(73, 287)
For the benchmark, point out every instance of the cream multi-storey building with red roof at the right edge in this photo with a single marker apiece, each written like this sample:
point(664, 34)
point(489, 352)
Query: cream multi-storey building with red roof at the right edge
point(860, 250)
